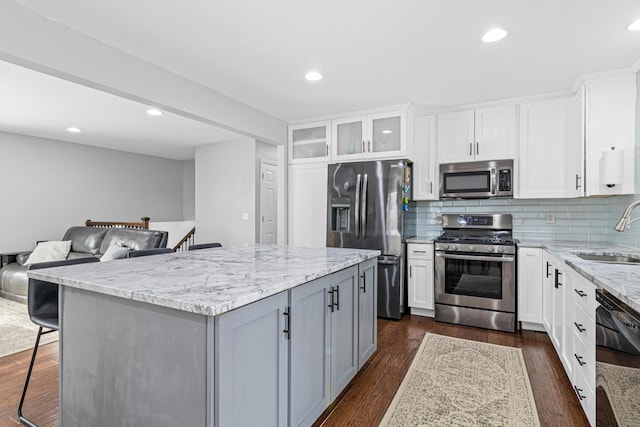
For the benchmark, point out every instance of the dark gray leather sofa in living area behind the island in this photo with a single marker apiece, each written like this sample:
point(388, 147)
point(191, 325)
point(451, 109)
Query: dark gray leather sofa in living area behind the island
point(85, 242)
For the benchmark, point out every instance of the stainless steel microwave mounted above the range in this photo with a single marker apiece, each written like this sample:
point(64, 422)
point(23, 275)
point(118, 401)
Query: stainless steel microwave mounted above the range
point(476, 180)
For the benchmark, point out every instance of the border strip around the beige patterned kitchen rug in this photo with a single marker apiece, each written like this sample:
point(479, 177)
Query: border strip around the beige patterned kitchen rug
point(407, 378)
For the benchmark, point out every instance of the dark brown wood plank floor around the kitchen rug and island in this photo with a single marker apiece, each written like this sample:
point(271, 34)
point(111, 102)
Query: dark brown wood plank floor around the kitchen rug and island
point(366, 398)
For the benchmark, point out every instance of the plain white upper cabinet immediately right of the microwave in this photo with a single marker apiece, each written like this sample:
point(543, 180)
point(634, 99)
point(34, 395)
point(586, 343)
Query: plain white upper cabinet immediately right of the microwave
point(550, 153)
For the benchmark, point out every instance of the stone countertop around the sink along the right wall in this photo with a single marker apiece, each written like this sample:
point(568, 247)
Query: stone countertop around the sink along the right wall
point(622, 281)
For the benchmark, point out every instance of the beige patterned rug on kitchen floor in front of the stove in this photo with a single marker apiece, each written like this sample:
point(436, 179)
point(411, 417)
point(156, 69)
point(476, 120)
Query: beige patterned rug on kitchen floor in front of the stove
point(457, 382)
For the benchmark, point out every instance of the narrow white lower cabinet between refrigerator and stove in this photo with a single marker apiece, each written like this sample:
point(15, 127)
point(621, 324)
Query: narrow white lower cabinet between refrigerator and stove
point(420, 278)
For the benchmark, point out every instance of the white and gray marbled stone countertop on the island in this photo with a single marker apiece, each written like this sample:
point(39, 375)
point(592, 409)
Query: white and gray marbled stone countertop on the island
point(206, 281)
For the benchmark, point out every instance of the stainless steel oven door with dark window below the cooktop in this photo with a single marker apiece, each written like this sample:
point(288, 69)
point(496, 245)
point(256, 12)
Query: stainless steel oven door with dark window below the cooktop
point(482, 281)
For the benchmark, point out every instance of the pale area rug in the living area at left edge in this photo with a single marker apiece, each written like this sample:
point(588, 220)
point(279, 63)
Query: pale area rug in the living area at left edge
point(17, 331)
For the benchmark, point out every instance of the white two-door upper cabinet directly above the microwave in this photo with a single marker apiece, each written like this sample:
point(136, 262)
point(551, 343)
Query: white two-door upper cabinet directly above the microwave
point(481, 134)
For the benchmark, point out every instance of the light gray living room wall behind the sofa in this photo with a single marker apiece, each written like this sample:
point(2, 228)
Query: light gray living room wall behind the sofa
point(48, 186)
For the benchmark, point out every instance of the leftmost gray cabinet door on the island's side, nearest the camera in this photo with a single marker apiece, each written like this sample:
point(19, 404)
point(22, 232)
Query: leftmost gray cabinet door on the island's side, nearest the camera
point(253, 365)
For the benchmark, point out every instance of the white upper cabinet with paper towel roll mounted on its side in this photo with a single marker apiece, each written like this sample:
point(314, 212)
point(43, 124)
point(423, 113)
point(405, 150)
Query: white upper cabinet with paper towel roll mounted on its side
point(610, 111)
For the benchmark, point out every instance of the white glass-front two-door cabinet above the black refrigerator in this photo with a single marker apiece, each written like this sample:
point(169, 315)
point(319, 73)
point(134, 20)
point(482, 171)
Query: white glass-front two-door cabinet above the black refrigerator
point(381, 135)
